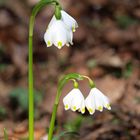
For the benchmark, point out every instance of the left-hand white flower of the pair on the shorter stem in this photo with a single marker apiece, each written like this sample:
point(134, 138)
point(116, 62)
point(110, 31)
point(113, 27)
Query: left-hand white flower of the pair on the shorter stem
point(74, 100)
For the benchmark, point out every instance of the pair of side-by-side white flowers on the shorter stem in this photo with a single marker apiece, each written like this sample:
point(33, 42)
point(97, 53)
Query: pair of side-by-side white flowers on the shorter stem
point(96, 100)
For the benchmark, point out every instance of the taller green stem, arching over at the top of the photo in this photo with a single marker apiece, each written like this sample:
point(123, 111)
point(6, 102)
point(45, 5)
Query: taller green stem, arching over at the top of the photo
point(35, 10)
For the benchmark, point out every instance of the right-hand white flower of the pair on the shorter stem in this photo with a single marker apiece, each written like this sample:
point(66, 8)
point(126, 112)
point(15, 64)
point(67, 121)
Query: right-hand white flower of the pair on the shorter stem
point(96, 100)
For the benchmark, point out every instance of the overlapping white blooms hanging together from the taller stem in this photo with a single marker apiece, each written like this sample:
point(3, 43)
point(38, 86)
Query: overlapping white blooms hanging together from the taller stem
point(60, 31)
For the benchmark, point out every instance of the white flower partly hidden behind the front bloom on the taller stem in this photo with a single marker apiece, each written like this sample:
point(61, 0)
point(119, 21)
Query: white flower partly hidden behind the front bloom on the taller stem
point(69, 21)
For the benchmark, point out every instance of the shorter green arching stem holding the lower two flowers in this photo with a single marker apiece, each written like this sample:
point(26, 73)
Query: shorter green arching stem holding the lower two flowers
point(61, 84)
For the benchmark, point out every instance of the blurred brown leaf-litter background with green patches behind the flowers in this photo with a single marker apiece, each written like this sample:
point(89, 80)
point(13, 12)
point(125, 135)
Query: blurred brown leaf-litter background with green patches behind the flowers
point(106, 48)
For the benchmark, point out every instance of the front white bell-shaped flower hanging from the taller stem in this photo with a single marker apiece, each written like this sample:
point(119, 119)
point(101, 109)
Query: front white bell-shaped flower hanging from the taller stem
point(58, 34)
